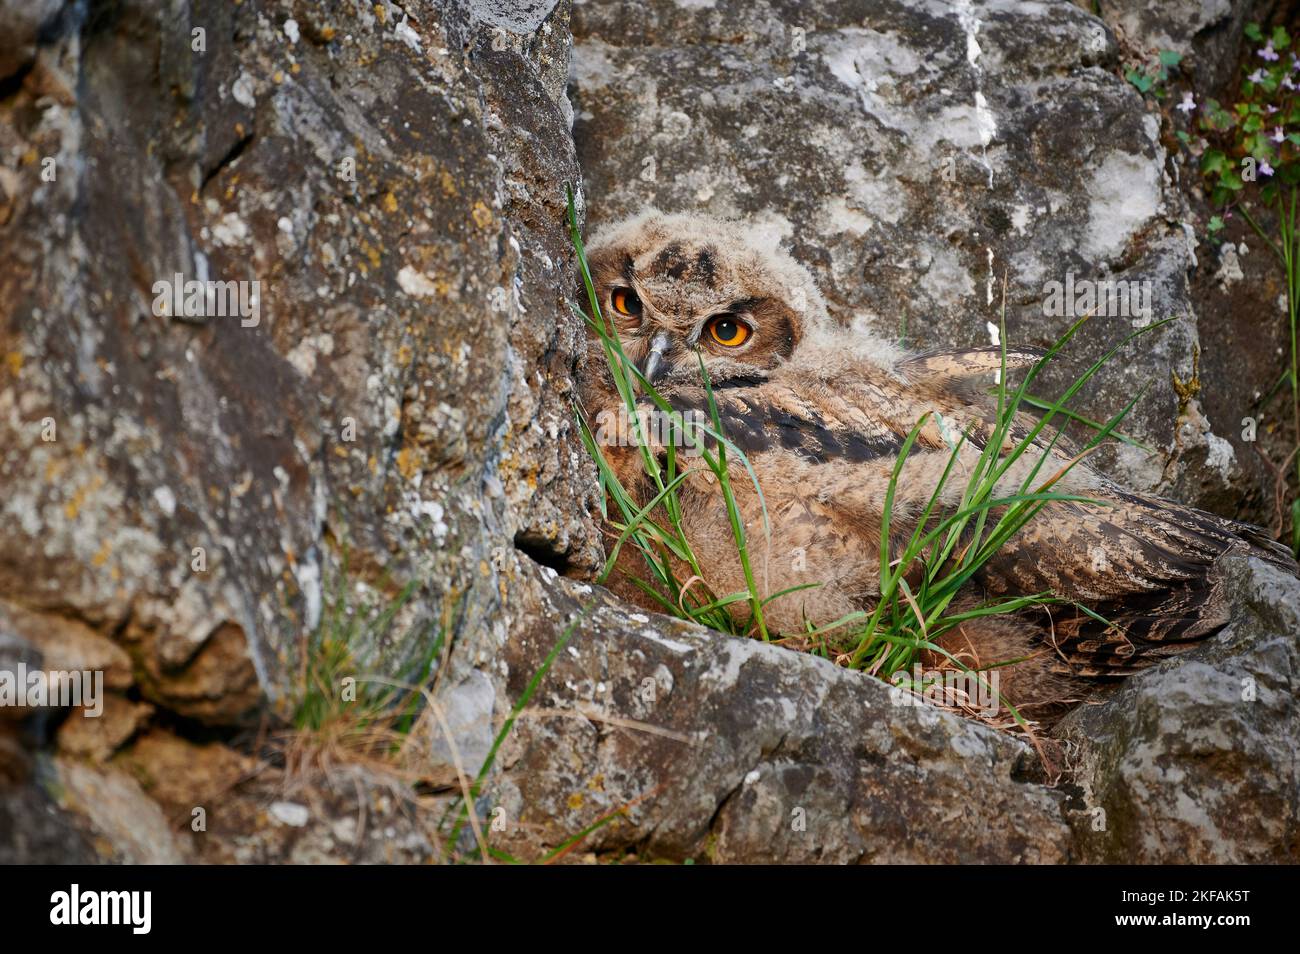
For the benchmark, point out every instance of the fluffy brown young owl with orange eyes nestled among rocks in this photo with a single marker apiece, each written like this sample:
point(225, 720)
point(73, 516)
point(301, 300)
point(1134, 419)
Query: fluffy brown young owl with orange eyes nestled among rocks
point(822, 414)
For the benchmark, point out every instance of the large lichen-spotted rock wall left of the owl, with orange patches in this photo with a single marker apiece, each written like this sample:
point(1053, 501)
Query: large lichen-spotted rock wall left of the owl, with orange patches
point(388, 185)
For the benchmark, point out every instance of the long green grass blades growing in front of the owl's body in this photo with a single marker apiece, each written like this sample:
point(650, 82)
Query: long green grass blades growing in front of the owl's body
point(943, 553)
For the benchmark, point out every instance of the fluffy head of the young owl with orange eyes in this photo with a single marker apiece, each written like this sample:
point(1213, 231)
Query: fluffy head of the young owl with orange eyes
point(681, 287)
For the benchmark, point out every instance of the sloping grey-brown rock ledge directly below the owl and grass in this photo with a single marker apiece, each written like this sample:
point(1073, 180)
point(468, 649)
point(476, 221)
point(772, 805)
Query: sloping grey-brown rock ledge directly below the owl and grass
point(788, 758)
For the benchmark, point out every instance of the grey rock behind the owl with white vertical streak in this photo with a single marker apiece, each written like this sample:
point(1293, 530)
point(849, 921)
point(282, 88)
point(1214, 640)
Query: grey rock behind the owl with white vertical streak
point(925, 159)
